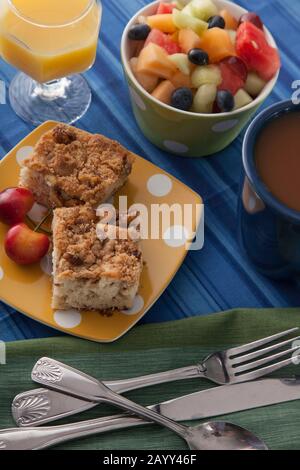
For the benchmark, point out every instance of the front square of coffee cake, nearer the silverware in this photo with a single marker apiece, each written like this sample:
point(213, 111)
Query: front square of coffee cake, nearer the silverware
point(90, 273)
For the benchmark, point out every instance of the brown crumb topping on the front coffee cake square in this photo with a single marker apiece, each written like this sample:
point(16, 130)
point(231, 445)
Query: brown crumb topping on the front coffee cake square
point(81, 255)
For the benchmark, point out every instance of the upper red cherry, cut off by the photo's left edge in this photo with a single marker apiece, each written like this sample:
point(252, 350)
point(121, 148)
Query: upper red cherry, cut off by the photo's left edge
point(15, 203)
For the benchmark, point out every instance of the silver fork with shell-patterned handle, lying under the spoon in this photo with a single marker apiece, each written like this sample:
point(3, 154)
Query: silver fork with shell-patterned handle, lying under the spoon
point(232, 366)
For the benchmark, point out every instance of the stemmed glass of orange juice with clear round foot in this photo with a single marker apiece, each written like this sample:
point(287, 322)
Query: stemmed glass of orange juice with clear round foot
point(51, 42)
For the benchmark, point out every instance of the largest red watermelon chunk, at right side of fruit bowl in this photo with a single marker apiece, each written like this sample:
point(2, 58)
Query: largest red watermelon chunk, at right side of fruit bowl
point(252, 46)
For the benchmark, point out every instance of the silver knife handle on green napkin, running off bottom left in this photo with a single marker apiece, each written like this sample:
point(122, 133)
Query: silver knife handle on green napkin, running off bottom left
point(42, 438)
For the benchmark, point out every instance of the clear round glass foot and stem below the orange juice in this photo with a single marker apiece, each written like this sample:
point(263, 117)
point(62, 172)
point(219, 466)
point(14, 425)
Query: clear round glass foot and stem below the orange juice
point(65, 100)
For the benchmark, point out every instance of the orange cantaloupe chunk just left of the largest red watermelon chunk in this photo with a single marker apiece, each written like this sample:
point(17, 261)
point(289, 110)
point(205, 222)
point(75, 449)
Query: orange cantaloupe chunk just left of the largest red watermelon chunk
point(218, 44)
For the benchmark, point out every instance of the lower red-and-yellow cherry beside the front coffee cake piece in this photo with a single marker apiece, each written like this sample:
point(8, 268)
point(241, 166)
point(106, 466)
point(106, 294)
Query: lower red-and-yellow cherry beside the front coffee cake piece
point(24, 246)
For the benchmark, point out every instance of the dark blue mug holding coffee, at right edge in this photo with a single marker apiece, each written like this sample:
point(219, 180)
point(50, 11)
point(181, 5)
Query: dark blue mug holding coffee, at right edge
point(269, 231)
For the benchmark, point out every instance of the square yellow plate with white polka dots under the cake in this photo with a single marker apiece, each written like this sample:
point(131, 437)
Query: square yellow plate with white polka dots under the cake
point(28, 288)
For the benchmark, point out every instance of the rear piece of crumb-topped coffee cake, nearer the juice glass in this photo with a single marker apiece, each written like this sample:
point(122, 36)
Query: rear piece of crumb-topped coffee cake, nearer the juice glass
point(71, 167)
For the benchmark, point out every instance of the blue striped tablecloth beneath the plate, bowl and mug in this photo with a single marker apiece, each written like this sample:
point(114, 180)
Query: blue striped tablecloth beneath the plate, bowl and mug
point(218, 277)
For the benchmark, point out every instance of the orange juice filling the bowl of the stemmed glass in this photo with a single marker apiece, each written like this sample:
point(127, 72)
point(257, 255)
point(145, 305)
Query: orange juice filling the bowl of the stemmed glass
point(49, 39)
